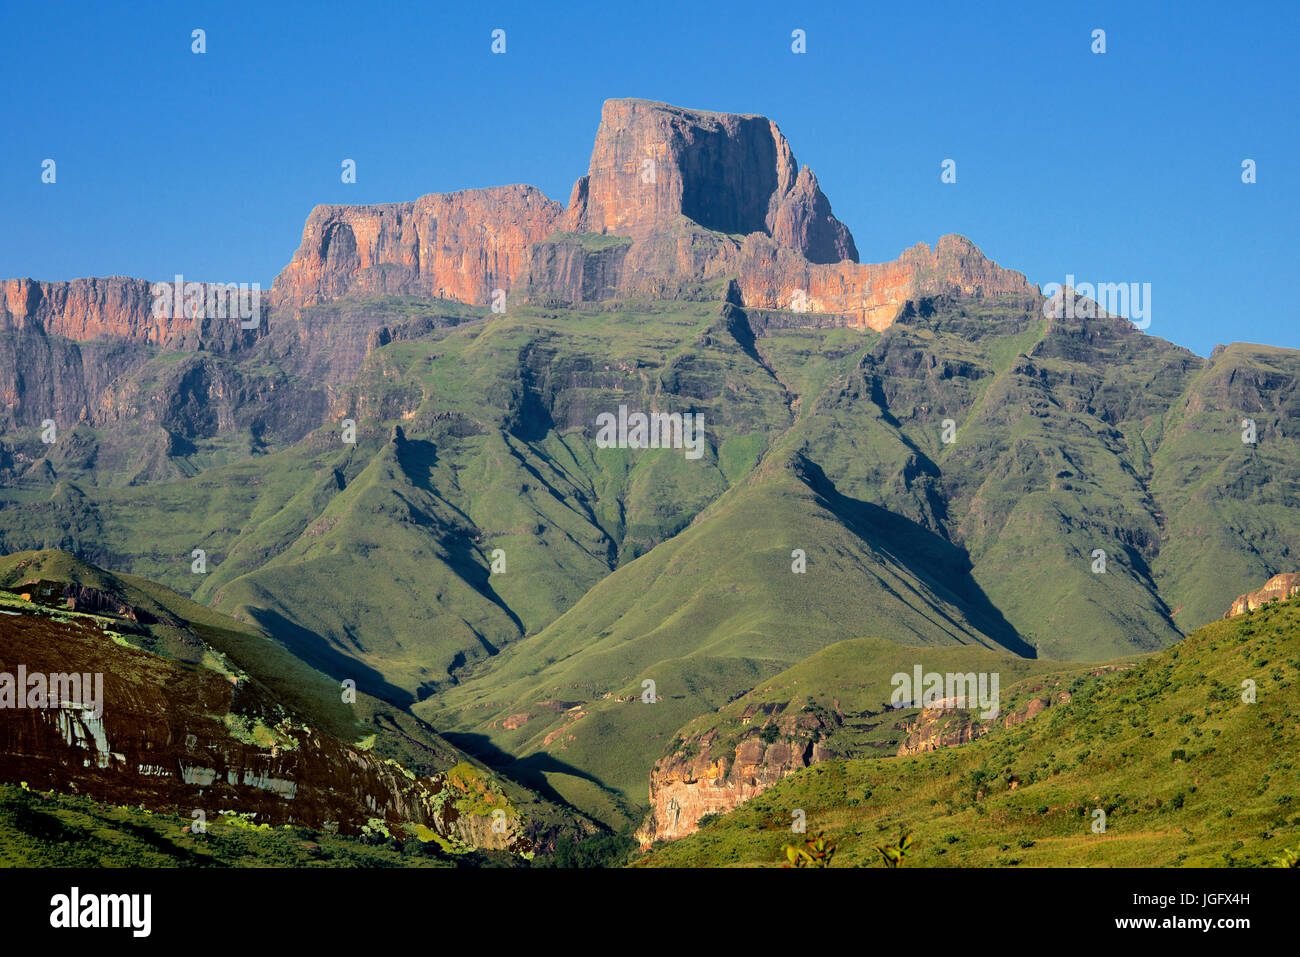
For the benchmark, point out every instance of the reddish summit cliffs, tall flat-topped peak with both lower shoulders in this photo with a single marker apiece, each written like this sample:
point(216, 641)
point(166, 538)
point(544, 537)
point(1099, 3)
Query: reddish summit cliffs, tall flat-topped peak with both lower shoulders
point(673, 198)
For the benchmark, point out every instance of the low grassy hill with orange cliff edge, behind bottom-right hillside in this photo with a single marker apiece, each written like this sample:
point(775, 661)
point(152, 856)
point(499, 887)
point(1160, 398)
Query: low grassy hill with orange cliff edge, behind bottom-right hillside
point(839, 704)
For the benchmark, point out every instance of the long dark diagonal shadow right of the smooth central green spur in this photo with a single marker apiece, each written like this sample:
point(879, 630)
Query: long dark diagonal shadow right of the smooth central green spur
point(943, 566)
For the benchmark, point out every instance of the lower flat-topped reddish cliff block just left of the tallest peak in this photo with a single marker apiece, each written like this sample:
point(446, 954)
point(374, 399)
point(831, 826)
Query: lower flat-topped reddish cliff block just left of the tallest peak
point(453, 246)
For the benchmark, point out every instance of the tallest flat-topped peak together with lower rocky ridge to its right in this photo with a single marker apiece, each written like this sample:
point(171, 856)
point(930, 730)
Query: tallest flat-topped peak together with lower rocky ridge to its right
point(704, 196)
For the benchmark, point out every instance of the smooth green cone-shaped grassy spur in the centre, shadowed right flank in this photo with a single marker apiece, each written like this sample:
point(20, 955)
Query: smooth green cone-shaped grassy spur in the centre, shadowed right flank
point(704, 617)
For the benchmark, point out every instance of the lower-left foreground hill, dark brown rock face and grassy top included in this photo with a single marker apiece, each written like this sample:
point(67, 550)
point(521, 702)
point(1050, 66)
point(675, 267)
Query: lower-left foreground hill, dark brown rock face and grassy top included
point(175, 722)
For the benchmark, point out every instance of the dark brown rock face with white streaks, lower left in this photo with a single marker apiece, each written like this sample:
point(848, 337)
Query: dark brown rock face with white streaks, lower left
point(174, 738)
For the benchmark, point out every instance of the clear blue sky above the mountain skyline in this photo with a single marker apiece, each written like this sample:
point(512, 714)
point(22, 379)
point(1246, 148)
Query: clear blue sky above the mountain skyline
point(1123, 167)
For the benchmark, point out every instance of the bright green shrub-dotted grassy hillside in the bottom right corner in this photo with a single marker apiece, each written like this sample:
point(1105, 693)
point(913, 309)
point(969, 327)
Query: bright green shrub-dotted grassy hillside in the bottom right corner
point(1186, 772)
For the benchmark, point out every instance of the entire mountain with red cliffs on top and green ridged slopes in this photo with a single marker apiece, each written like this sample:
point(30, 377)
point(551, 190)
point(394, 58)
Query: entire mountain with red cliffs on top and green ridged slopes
point(392, 470)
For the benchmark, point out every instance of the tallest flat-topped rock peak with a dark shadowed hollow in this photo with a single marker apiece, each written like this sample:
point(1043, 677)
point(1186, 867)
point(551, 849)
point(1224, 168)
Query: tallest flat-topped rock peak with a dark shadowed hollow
point(727, 172)
